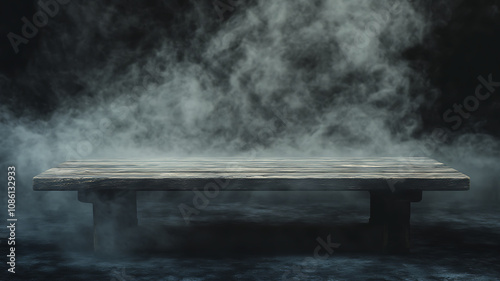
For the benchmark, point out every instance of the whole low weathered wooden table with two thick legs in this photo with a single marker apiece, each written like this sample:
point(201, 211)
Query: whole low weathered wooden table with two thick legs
point(111, 185)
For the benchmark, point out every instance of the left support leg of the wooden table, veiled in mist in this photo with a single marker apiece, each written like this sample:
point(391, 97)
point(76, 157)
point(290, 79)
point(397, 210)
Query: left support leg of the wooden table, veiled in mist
point(115, 219)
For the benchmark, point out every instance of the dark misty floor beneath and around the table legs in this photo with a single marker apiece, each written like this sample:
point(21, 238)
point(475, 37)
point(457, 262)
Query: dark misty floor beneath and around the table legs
point(264, 240)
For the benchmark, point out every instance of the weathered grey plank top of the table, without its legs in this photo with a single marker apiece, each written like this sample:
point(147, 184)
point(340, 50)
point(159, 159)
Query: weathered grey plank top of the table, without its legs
point(240, 173)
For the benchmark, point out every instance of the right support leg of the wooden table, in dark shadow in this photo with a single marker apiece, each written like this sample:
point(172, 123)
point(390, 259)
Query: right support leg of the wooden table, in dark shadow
point(391, 211)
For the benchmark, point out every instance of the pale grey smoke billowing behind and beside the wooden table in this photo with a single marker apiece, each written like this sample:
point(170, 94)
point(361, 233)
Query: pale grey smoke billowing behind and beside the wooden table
point(282, 78)
